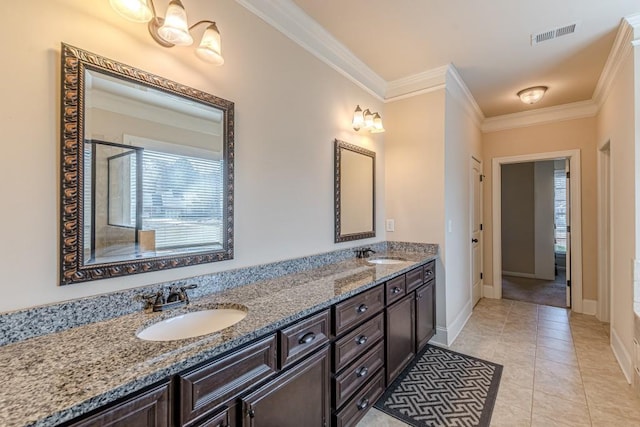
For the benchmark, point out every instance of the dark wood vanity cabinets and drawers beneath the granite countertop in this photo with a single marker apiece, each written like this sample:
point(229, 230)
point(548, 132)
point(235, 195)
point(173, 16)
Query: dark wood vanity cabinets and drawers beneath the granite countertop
point(327, 368)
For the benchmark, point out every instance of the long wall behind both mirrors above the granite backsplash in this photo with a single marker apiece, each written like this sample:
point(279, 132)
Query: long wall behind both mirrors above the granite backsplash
point(289, 108)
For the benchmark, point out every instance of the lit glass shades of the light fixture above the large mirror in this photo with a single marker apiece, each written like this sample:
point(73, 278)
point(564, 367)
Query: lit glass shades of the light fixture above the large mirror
point(172, 30)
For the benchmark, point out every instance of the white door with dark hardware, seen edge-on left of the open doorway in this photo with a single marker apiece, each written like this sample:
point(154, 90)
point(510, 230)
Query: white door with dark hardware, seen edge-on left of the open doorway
point(476, 230)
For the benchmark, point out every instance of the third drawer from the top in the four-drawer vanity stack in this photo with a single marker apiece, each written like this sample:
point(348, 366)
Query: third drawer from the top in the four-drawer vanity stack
point(358, 373)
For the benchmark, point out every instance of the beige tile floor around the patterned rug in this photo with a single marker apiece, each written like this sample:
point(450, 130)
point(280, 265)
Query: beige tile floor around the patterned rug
point(559, 369)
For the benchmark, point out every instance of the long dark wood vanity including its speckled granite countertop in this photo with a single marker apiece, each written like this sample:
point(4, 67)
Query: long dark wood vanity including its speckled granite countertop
point(317, 347)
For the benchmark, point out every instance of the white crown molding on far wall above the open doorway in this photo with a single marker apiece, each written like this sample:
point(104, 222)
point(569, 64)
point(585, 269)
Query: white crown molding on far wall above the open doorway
point(558, 113)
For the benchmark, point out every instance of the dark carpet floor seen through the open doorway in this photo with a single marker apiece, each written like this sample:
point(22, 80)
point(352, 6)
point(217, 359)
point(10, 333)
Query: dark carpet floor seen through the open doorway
point(536, 291)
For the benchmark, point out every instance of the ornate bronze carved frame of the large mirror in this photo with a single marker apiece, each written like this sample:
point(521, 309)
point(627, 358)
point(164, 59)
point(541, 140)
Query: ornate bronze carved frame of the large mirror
point(72, 268)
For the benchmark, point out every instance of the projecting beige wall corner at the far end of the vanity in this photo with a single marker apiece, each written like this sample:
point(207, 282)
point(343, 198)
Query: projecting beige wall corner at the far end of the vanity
point(429, 143)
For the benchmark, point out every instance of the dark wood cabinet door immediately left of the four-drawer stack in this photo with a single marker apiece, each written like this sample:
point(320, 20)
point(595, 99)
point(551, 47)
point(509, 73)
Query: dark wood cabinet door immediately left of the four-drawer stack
point(298, 397)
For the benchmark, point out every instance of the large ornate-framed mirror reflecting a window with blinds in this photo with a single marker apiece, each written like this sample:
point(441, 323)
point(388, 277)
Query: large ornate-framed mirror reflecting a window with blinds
point(147, 171)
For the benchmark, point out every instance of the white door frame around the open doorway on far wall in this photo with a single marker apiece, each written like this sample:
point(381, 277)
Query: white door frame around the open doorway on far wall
point(576, 219)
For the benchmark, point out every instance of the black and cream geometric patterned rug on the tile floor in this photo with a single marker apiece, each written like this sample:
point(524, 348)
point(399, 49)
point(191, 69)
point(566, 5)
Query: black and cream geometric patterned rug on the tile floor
point(442, 388)
